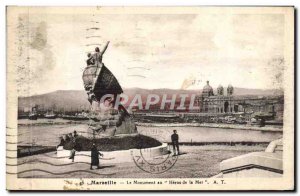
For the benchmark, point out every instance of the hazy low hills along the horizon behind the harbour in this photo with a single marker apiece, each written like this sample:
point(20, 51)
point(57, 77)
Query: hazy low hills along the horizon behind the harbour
point(77, 99)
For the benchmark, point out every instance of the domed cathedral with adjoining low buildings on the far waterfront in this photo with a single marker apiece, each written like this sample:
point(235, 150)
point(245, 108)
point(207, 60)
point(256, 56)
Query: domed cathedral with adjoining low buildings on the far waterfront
point(221, 104)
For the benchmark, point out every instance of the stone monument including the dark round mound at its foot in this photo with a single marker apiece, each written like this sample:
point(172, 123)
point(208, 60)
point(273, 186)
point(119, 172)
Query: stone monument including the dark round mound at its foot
point(111, 128)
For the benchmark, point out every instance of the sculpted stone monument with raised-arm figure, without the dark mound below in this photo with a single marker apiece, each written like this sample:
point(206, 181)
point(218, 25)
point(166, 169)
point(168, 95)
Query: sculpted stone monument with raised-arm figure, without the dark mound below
point(108, 117)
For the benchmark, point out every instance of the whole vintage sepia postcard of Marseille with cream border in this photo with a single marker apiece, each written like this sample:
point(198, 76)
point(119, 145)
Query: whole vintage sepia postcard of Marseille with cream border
point(150, 98)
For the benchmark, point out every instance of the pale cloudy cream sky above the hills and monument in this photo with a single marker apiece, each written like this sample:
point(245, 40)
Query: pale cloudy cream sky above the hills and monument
point(152, 50)
